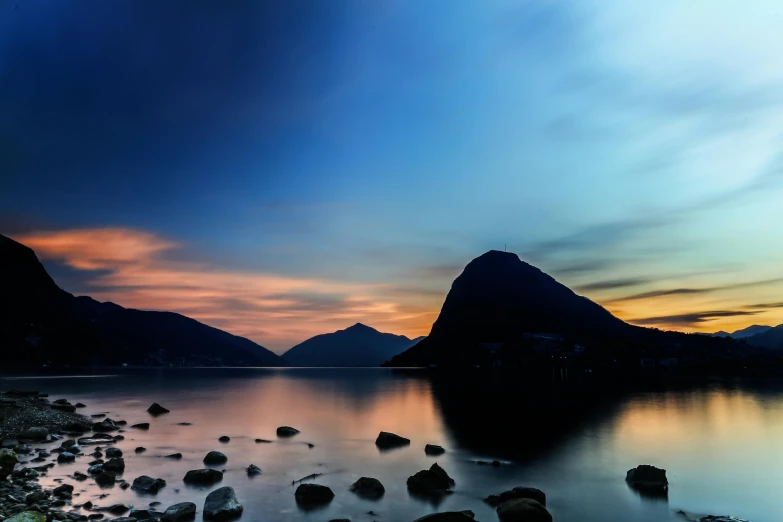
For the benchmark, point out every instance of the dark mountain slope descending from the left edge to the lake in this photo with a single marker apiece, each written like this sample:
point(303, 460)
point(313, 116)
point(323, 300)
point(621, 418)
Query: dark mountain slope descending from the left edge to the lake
point(40, 322)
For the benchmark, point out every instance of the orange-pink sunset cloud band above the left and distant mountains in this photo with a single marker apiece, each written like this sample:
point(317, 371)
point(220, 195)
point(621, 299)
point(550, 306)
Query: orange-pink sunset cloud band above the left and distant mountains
point(130, 267)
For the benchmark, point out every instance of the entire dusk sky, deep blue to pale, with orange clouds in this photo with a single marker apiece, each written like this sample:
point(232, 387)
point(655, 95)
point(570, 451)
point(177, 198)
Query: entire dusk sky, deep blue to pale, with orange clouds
point(283, 169)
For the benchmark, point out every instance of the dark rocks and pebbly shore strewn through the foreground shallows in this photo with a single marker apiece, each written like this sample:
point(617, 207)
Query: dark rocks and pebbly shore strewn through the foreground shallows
point(30, 419)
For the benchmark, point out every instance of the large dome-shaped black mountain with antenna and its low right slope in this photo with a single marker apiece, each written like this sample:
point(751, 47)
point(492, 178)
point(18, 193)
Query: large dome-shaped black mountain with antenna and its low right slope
point(503, 307)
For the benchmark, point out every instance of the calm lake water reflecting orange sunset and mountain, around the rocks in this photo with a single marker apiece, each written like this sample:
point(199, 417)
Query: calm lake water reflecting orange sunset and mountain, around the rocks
point(721, 441)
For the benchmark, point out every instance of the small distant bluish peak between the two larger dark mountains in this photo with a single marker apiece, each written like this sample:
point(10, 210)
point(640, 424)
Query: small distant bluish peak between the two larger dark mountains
point(358, 345)
